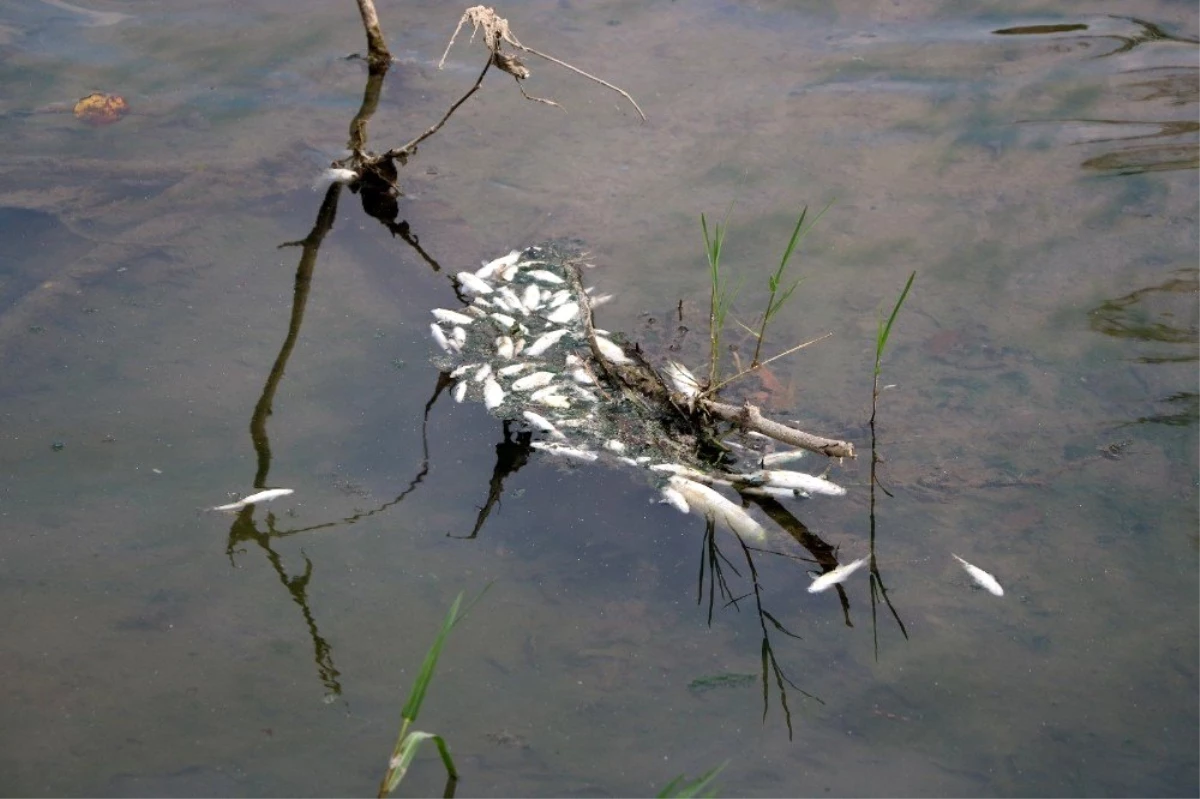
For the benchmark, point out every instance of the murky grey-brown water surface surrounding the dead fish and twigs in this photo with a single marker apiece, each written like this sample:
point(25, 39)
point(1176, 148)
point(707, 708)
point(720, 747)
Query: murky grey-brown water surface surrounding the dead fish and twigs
point(1037, 171)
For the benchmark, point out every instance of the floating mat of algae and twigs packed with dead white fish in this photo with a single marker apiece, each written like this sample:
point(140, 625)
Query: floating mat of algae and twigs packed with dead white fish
point(599, 400)
